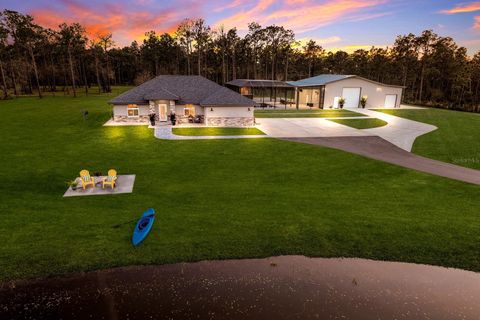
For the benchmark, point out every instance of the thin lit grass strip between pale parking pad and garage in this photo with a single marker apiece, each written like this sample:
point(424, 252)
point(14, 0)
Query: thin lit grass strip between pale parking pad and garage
point(305, 113)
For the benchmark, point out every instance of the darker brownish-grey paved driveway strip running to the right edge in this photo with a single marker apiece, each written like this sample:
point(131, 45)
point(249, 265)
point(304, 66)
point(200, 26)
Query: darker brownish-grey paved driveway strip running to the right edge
point(379, 149)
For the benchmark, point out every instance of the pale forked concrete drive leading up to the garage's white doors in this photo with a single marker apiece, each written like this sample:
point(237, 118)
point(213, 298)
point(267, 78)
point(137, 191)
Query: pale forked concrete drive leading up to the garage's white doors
point(399, 131)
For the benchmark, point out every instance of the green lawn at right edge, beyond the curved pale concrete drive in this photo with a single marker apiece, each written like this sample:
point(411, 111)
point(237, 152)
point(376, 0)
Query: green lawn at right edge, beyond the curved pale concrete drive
point(457, 139)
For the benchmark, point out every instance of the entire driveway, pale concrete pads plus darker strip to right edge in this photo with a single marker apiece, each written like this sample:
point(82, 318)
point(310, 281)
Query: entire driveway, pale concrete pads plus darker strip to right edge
point(391, 143)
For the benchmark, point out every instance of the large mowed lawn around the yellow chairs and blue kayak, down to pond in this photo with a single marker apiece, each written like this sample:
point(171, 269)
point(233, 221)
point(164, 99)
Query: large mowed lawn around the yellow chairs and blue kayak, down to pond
point(215, 199)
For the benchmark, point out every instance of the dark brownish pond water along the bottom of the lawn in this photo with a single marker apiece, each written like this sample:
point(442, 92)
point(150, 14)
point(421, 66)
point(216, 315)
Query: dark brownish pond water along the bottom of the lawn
point(285, 287)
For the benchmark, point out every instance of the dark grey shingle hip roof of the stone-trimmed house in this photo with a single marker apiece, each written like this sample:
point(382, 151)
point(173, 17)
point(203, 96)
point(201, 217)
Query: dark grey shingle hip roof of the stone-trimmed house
point(184, 90)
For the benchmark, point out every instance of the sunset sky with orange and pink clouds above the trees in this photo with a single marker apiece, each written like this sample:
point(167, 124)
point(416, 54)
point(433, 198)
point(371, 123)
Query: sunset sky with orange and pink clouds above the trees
point(335, 24)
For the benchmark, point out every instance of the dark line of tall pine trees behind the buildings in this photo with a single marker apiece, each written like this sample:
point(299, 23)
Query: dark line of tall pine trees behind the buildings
point(34, 60)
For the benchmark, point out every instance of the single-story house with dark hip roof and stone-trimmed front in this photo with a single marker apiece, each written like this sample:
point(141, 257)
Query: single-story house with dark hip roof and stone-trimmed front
point(192, 98)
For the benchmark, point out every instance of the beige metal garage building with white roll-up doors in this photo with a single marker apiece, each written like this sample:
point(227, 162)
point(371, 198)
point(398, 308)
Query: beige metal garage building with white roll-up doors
point(325, 90)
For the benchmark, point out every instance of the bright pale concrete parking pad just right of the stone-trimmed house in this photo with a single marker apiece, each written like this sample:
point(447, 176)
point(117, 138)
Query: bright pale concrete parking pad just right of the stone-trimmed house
point(306, 127)
